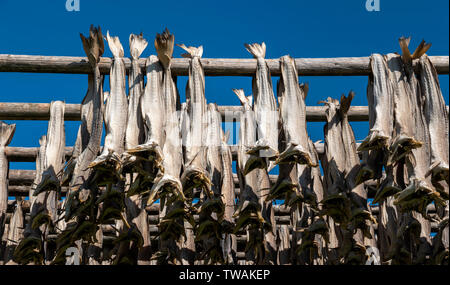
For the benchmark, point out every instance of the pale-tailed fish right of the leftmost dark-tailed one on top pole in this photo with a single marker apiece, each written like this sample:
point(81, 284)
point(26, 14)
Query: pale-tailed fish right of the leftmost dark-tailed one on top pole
point(108, 163)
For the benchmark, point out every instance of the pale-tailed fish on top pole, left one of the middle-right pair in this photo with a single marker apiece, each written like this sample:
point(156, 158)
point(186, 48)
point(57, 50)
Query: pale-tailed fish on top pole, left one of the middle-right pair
point(266, 114)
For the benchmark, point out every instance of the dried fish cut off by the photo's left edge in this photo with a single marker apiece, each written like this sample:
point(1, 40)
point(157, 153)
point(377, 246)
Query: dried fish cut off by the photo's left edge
point(6, 134)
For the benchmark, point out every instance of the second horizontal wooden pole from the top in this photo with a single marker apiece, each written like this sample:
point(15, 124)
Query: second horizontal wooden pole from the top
point(41, 111)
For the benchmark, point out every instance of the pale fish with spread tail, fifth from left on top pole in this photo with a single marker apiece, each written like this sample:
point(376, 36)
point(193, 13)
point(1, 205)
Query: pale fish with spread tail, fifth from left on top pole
point(194, 136)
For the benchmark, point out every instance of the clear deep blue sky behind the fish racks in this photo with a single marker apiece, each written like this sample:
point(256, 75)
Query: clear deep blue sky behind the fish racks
point(300, 28)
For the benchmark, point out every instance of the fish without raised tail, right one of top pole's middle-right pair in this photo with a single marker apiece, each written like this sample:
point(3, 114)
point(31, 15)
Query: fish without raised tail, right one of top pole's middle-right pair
point(291, 98)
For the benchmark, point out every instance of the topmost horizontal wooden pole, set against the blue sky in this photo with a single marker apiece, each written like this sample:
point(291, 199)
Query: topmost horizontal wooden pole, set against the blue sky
point(212, 66)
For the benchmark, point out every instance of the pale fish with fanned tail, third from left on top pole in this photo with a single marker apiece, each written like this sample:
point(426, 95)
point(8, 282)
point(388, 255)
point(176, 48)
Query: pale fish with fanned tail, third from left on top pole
point(134, 134)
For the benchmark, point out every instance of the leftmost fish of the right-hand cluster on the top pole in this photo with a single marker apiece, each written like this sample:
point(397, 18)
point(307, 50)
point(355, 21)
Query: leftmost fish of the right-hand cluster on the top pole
point(381, 106)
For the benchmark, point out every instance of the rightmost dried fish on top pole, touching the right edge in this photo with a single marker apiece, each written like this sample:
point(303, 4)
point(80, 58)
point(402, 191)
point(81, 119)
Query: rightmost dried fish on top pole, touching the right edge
point(436, 116)
